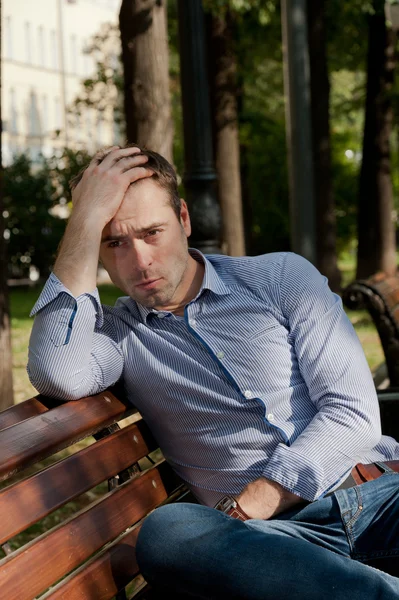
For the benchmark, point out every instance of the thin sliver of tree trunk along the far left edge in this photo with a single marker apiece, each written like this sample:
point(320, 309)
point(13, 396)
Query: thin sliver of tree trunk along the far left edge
point(6, 388)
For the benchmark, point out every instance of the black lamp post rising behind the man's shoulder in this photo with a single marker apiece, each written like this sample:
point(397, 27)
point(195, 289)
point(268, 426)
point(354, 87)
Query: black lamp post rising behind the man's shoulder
point(200, 176)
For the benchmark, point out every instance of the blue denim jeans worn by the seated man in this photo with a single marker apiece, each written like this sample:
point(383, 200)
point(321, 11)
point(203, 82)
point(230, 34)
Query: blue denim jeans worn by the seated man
point(330, 548)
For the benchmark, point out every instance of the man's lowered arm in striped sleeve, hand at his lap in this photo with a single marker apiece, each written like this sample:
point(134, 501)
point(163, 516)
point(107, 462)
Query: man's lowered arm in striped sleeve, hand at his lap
point(334, 368)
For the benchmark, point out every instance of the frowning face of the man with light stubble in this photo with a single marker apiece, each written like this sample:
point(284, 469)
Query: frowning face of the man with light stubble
point(144, 247)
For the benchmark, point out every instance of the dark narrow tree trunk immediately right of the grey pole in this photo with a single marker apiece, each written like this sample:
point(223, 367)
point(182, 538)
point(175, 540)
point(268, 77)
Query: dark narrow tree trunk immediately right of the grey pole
point(326, 246)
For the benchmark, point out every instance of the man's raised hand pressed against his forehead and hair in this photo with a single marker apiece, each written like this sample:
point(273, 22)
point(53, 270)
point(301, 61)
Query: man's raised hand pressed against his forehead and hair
point(103, 186)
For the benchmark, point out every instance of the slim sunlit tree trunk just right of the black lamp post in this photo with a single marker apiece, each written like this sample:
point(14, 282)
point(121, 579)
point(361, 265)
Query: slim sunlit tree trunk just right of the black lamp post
point(223, 87)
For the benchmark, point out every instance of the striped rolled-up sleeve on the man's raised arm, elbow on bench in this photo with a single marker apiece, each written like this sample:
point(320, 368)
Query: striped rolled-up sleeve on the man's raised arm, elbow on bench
point(73, 351)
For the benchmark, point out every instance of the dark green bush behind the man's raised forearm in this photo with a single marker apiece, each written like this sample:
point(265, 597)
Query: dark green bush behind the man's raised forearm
point(30, 195)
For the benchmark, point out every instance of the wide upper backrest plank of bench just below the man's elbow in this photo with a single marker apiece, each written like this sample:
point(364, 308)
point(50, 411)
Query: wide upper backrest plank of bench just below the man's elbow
point(38, 437)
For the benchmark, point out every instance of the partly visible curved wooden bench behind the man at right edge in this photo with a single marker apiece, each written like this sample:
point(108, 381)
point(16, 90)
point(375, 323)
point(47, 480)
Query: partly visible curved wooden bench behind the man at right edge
point(379, 295)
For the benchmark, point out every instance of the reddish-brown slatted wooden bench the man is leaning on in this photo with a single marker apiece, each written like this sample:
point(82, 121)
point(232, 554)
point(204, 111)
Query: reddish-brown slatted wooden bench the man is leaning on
point(121, 477)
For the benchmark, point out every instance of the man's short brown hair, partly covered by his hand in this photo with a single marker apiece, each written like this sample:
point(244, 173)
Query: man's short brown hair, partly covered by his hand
point(163, 173)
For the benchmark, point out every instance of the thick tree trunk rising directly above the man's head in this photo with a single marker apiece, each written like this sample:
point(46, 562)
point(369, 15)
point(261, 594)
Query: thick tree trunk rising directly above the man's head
point(145, 58)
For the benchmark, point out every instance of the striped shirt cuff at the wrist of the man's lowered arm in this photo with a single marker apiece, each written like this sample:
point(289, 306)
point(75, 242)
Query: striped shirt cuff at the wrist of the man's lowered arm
point(295, 473)
